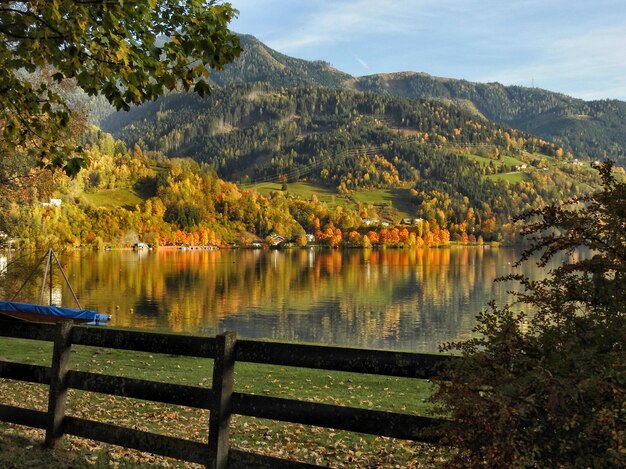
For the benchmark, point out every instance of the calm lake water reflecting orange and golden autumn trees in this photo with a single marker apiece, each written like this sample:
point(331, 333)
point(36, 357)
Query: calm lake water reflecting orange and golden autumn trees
point(392, 299)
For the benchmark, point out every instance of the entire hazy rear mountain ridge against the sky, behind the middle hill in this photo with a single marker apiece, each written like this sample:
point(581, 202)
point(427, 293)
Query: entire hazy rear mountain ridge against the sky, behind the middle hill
point(594, 129)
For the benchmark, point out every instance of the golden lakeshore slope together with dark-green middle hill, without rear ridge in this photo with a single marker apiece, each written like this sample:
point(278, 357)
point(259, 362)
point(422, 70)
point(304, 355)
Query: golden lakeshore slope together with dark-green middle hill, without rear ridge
point(341, 167)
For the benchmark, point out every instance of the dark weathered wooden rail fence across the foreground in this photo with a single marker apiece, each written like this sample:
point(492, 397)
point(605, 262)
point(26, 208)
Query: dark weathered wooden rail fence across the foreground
point(220, 400)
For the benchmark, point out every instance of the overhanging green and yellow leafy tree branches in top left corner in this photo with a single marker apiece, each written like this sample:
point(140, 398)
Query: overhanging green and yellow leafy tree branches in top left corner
point(127, 51)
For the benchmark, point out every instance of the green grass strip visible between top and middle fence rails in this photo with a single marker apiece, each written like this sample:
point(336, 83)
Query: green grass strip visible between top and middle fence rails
point(272, 380)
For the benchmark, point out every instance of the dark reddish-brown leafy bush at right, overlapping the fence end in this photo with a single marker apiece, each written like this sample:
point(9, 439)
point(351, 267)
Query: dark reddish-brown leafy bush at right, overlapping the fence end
point(545, 387)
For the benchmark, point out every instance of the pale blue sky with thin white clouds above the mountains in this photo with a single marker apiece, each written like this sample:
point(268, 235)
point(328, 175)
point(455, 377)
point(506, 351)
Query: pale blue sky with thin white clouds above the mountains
point(575, 47)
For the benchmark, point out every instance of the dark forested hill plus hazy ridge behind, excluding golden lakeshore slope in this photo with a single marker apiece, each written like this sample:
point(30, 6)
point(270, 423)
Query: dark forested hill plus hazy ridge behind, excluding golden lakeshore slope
point(273, 118)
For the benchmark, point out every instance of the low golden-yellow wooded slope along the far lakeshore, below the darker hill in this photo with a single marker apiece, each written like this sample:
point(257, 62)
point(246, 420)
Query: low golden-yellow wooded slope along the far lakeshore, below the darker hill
point(124, 197)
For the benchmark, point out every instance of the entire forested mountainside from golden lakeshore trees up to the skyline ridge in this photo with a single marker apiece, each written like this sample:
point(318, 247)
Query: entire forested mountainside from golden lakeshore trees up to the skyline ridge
point(318, 151)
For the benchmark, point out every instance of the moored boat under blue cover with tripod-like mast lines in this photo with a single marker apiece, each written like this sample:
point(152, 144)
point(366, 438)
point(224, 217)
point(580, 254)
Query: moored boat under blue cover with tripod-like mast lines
point(13, 310)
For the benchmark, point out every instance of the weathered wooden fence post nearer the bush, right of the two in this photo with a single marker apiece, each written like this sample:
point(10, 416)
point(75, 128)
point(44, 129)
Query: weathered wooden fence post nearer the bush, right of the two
point(219, 419)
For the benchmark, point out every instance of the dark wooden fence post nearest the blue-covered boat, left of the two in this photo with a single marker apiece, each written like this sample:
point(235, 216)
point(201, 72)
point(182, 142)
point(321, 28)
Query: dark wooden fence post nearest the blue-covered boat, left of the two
point(57, 395)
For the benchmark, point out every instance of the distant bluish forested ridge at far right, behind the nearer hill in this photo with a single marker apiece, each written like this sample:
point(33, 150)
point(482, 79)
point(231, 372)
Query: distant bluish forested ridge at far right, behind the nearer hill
point(596, 129)
